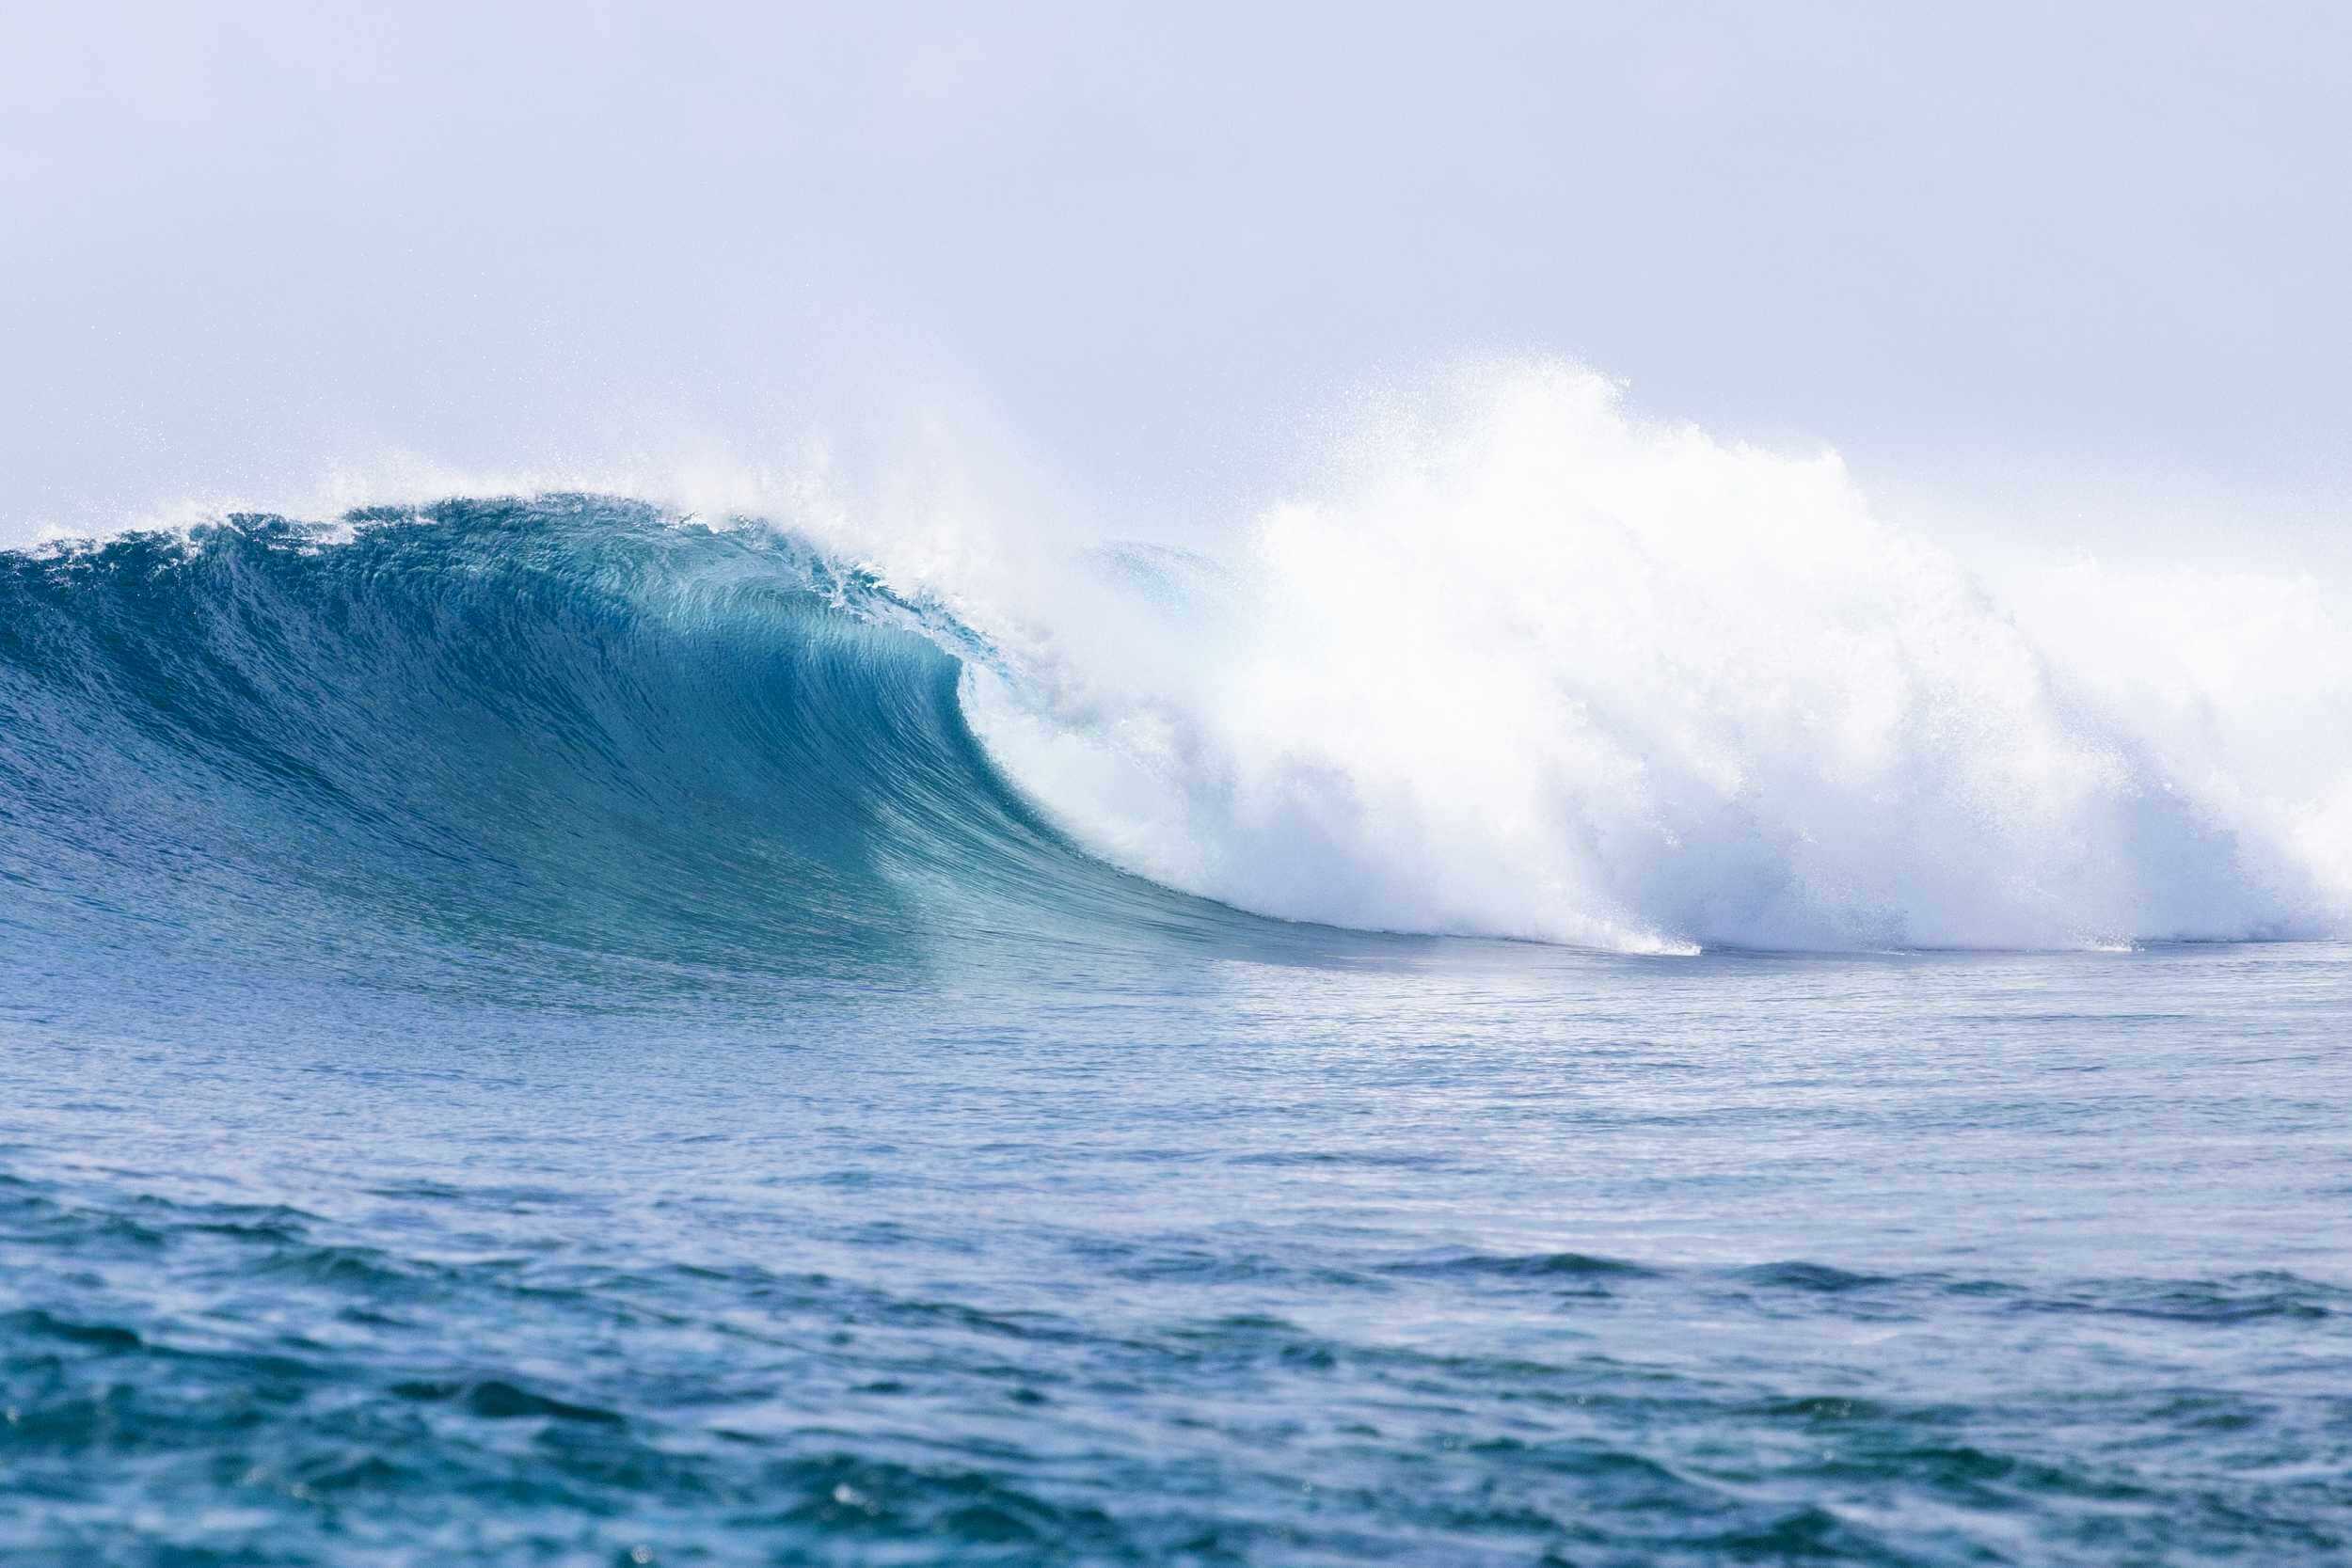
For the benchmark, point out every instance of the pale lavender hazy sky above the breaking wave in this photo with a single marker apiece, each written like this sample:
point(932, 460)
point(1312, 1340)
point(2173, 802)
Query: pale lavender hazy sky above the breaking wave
point(2085, 243)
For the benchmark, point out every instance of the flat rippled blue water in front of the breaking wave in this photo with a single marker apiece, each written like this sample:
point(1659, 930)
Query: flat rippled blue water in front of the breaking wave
point(1417, 1252)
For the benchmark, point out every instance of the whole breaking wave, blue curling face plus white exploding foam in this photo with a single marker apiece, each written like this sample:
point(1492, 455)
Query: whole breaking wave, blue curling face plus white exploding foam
point(1516, 666)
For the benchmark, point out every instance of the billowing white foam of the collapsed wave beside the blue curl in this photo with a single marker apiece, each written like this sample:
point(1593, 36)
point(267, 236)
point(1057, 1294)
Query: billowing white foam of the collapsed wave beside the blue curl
point(1528, 666)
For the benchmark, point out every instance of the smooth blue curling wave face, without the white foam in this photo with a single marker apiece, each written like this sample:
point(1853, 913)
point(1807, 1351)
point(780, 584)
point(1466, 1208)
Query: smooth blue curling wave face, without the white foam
point(512, 742)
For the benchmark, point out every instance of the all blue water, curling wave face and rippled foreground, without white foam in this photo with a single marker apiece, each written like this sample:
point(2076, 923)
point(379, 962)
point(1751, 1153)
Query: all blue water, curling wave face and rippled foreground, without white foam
point(533, 1033)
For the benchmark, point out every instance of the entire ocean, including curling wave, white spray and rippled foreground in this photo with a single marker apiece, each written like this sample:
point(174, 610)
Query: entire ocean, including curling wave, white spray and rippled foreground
point(1561, 991)
